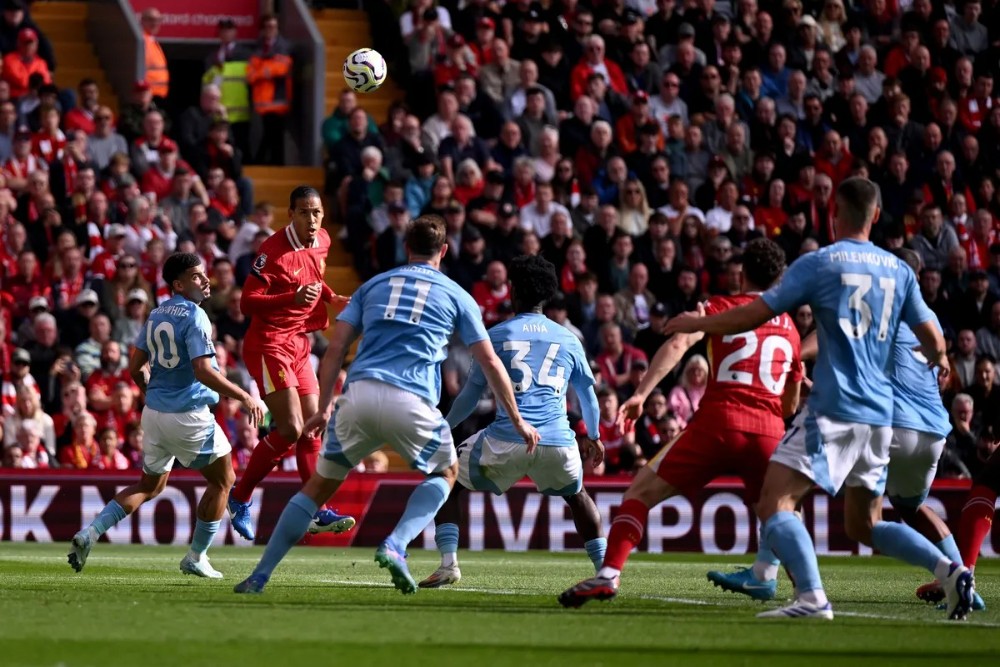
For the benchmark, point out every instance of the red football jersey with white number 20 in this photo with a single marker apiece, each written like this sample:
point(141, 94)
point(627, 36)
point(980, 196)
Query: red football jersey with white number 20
point(748, 373)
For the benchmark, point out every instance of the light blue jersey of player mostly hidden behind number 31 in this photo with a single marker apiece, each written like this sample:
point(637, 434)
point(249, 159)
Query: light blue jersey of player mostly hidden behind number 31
point(916, 400)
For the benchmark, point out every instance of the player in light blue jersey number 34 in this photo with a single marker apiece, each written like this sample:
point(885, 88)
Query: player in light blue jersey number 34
point(542, 359)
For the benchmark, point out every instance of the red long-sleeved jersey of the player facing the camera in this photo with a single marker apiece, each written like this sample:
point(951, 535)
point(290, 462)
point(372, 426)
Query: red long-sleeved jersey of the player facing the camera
point(282, 266)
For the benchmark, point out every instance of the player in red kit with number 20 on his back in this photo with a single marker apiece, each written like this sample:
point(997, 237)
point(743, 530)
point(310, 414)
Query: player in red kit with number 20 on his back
point(755, 383)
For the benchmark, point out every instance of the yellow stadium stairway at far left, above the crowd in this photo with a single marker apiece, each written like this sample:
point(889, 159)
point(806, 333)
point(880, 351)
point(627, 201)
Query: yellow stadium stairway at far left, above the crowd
point(64, 24)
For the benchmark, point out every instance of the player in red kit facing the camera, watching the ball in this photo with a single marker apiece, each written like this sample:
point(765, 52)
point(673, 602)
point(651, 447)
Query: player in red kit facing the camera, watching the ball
point(285, 297)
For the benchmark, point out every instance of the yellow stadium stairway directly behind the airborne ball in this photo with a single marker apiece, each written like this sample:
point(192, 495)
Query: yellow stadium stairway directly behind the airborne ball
point(344, 31)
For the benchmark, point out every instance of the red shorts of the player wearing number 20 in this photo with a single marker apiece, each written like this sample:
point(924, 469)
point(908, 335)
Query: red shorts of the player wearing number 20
point(697, 456)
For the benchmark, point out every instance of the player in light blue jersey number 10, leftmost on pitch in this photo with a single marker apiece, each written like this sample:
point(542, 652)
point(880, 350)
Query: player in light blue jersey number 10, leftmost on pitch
point(183, 381)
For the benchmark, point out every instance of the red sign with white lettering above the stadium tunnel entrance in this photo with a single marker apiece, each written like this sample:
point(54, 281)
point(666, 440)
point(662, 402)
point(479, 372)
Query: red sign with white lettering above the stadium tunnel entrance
point(197, 19)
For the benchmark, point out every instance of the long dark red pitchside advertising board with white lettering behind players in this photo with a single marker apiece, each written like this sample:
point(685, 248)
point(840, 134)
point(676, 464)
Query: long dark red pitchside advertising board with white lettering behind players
point(49, 506)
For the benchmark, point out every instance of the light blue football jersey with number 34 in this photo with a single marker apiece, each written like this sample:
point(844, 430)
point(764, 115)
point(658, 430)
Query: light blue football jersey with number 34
point(541, 358)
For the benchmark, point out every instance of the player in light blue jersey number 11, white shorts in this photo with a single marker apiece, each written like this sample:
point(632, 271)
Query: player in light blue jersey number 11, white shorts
point(406, 317)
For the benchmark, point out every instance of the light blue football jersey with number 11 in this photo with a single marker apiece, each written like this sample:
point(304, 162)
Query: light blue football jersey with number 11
point(406, 317)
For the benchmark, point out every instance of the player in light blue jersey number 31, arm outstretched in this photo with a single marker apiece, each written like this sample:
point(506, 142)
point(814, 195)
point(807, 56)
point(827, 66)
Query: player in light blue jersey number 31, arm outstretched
point(859, 295)
